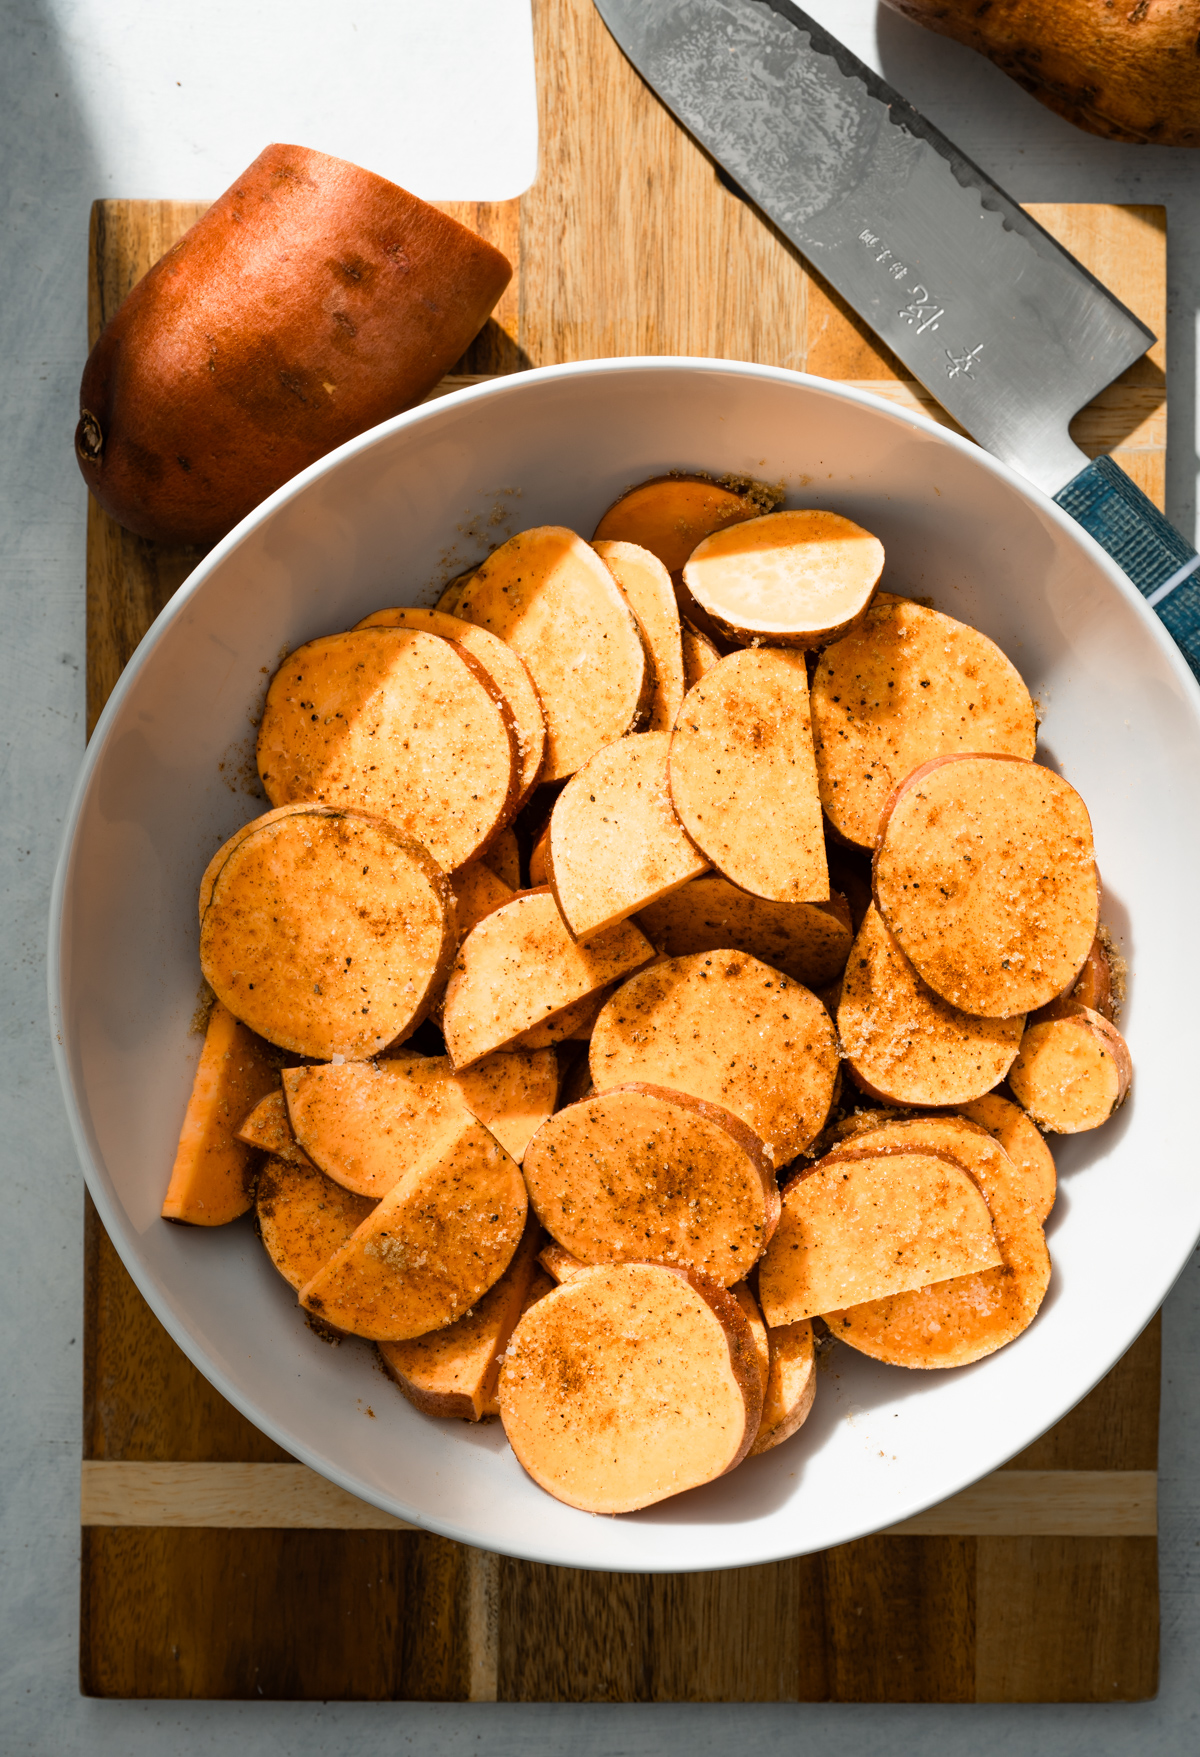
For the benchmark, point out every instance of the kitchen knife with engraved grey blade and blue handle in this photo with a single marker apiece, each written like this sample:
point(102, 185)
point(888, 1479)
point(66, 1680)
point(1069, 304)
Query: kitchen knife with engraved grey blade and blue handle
point(997, 321)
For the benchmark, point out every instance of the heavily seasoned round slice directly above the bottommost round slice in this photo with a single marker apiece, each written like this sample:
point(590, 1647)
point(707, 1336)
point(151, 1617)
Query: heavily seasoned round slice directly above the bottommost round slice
point(640, 1173)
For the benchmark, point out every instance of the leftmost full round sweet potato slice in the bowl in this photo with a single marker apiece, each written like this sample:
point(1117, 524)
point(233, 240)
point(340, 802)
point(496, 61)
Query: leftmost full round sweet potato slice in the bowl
point(328, 932)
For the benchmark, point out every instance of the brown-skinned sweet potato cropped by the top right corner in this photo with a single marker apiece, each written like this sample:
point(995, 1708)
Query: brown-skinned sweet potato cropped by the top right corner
point(1125, 69)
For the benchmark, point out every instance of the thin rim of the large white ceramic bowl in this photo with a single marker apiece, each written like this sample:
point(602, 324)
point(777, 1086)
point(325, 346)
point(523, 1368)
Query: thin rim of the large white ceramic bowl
point(516, 384)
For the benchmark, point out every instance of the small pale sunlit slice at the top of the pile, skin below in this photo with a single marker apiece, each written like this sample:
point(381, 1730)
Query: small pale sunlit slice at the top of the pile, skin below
point(797, 579)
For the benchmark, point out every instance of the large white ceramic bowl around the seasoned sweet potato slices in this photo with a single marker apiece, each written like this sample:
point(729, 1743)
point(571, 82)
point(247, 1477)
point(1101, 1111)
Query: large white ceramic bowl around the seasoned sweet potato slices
point(387, 521)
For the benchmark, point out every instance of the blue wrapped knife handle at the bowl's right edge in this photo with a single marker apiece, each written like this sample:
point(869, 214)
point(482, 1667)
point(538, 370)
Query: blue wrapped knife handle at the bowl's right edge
point(1160, 563)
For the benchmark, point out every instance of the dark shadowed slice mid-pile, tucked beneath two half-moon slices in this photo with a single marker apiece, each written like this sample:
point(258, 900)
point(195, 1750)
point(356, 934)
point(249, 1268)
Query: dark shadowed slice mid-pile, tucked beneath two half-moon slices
point(809, 943)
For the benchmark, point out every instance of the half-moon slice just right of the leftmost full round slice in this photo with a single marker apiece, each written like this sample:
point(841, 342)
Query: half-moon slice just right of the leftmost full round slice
point(521, 967)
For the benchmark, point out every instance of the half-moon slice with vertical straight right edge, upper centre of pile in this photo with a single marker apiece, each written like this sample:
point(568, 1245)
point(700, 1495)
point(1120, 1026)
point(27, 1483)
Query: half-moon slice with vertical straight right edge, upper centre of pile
point(744, 781)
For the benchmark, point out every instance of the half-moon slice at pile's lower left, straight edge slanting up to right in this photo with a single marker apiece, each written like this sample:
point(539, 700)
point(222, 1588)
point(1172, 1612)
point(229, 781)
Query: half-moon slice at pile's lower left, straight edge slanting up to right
point(431, 1247)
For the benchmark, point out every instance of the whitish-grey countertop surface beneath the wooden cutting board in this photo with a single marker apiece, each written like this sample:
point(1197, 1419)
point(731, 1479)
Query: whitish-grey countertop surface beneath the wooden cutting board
point(122, 98)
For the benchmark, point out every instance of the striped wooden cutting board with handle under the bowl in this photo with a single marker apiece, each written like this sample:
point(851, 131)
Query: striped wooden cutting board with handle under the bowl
point(215, 1566)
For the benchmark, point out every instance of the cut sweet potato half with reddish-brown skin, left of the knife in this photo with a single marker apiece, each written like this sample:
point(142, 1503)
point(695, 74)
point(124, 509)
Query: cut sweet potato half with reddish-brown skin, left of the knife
point(312, 301)
